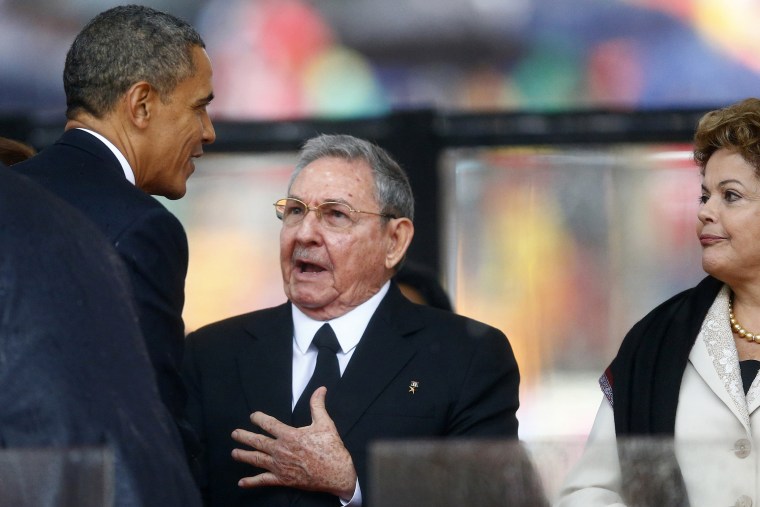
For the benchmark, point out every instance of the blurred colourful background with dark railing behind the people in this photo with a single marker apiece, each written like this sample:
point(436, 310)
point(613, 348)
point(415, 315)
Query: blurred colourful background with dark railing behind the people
point(548, 143)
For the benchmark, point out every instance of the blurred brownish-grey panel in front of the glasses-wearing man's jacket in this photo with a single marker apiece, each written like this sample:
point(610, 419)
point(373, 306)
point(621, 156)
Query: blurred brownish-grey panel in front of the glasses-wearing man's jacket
point(454, 473)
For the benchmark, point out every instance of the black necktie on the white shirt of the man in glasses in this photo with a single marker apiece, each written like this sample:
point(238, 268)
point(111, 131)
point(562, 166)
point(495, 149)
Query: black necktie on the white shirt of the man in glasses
point(327, 373)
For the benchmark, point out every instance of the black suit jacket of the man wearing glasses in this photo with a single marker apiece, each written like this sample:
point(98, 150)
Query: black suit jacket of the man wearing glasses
point(466, 373)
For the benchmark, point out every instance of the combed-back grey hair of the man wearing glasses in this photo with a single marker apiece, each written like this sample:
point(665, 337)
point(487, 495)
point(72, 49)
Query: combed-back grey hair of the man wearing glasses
point(392, 189)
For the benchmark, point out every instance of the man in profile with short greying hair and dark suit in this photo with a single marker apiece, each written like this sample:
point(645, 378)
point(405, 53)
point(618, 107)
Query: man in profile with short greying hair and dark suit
point(137, 84)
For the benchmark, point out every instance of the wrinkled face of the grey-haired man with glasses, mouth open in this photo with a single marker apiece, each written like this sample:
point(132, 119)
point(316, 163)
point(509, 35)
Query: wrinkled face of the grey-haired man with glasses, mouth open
point(327, 272)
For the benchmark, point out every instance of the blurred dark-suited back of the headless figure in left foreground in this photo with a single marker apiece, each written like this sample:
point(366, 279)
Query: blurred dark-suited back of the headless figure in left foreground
point(74, 371)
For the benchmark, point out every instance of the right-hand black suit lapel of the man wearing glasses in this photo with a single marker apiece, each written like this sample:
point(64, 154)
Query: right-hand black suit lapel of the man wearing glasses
point(385, 348)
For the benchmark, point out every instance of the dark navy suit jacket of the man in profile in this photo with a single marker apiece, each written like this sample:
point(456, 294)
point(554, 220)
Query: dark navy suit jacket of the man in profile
point(150, 240)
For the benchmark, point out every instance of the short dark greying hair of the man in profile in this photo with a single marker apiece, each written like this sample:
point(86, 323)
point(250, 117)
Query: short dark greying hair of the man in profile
point(122, 46)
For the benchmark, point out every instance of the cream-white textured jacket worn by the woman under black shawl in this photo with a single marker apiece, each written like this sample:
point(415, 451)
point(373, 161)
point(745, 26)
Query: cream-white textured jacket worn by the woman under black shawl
point(717, 433)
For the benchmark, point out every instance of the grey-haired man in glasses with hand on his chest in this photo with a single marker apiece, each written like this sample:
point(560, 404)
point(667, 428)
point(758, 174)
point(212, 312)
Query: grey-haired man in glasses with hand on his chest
point(398, 370)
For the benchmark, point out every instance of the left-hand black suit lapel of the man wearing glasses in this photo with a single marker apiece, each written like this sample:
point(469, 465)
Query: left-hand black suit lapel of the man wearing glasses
point(267, 383)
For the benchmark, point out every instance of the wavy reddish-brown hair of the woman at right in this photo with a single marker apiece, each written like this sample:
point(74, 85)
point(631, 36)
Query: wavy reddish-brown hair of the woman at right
point(736, 128)
